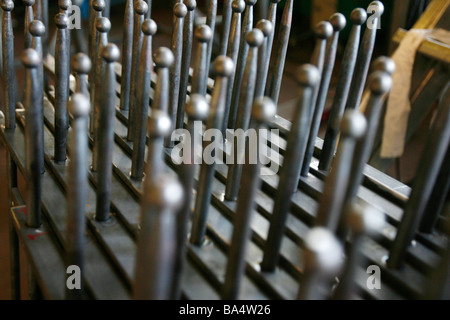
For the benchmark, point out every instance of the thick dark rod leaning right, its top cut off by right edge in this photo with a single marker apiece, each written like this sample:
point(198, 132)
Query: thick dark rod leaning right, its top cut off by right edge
point(429, 164)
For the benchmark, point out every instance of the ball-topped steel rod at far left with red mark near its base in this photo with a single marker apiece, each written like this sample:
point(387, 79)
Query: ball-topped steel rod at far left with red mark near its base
point(33, 149)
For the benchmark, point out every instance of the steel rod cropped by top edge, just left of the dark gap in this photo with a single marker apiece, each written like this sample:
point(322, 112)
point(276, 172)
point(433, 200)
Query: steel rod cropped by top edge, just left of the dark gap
point(280, 54)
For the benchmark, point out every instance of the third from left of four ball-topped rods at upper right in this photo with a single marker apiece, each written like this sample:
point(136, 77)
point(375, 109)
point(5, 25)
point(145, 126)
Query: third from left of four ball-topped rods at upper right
point(358, 17)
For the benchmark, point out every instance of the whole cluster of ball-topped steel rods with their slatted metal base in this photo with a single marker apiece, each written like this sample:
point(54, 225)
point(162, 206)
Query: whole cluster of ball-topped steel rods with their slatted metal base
point(96, 147)
